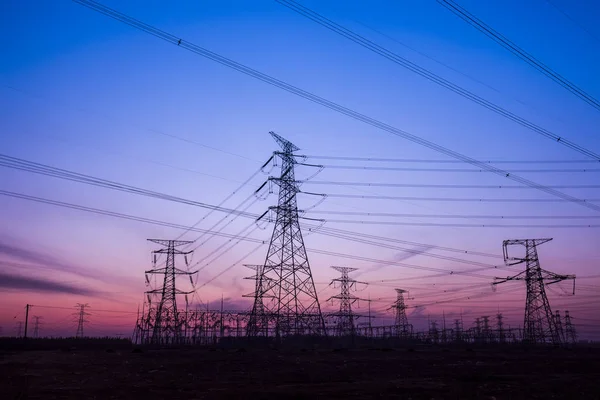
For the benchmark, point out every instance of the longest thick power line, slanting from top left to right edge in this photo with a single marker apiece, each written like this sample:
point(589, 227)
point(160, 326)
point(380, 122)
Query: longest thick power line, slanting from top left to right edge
point(319, 100)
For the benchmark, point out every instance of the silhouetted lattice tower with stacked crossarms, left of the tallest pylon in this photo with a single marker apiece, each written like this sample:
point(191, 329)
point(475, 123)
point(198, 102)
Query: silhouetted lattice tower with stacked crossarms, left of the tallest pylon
point(163, 316)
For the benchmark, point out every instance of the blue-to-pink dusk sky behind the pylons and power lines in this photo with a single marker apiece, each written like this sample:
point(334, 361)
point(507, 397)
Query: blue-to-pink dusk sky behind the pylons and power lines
point(85, 93)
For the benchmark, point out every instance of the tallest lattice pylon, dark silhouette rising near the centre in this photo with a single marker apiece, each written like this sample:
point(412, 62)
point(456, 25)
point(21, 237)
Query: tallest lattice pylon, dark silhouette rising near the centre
point(287, 290)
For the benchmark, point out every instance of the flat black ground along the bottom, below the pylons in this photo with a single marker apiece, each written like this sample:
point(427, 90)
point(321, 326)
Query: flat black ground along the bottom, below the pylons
point(419, 373)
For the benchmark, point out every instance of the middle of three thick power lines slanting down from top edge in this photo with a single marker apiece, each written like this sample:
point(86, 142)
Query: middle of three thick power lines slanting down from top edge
point(368, 44)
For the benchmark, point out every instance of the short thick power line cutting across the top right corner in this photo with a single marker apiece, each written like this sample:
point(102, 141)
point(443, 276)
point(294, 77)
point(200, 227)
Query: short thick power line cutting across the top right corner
point(522, 54)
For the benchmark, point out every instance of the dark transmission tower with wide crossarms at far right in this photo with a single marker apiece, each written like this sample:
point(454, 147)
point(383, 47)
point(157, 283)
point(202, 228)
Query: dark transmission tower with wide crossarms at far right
point(539, 324)
